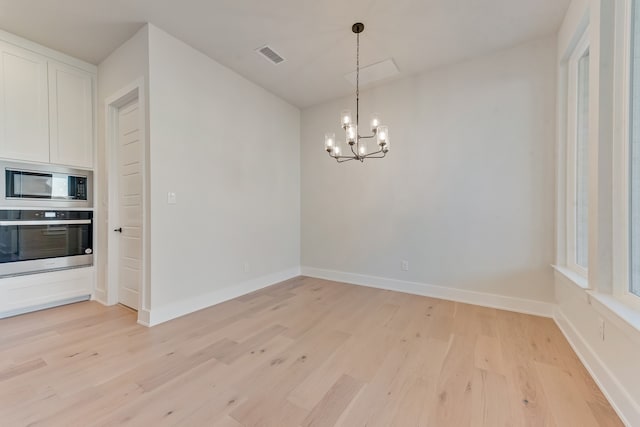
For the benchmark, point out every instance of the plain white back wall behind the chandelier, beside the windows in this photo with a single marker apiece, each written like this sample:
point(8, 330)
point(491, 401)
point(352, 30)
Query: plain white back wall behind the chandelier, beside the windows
point(466, 194)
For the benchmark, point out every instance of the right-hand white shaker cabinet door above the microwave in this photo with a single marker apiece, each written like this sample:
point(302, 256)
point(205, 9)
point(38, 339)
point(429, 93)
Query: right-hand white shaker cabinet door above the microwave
point(70, 115)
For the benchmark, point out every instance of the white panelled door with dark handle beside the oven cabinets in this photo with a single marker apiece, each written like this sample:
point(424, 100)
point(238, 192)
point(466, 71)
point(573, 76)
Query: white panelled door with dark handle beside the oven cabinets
point(129, 164)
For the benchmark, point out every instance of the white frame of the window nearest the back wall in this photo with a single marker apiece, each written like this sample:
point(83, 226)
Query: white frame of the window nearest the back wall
point(581, 48)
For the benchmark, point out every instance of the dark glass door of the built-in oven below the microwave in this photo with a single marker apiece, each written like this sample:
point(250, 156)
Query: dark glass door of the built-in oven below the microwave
point(33, 242)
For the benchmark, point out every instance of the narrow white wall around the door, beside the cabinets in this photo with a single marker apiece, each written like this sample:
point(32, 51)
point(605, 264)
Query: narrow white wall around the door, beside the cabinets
point(125, 65)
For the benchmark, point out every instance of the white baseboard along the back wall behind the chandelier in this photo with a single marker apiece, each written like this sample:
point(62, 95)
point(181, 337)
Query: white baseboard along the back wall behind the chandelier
point(520, 305)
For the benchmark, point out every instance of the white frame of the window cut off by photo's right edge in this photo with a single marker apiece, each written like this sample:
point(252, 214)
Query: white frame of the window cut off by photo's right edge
point(621, 154)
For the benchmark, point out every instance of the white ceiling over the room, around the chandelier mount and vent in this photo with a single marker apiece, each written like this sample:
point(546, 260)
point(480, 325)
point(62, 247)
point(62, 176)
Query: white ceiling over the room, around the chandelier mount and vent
point(314, 36)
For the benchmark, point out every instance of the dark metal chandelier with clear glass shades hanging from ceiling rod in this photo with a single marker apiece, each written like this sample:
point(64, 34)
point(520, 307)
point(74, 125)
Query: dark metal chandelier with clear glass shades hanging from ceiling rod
point(358, 143)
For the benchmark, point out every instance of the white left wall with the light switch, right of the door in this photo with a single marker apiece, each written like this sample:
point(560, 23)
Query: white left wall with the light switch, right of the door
point(230, 150)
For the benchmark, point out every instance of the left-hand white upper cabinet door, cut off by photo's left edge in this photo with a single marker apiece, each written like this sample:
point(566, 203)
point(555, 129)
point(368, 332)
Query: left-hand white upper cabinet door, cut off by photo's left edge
point(24, 116)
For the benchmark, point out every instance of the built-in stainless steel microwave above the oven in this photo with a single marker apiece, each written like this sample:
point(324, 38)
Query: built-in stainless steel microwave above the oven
point(45, 186)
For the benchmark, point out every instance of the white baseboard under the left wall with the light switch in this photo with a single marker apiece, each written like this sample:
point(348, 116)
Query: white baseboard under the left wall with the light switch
point(180, 308)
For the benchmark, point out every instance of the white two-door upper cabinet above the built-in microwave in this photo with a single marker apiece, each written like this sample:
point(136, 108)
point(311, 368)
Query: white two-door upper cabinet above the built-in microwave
point(47, 105)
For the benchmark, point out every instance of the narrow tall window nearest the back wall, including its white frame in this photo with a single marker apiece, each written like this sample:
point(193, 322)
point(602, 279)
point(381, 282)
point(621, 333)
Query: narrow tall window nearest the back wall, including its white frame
point(577, 158)
